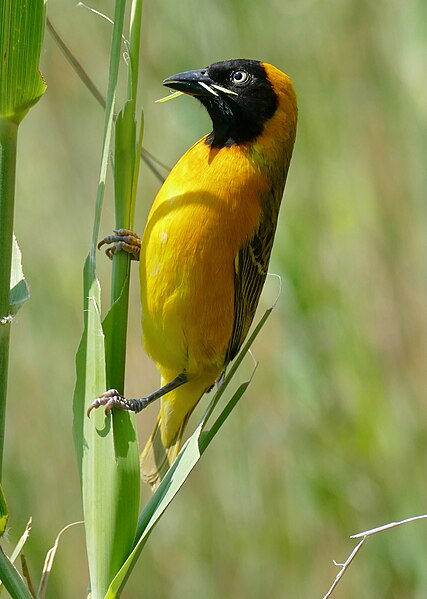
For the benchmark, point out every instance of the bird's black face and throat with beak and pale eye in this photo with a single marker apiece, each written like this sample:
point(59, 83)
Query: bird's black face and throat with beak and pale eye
point(237, 95)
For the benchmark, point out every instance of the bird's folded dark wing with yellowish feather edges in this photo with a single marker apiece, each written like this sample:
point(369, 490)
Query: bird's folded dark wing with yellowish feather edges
point(251, 265)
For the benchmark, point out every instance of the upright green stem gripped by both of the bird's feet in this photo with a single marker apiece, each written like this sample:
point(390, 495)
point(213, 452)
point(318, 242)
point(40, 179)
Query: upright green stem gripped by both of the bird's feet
point(115, 329)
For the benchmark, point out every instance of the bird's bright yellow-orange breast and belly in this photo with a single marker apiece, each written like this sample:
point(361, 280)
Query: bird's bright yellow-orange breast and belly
point(194, 230)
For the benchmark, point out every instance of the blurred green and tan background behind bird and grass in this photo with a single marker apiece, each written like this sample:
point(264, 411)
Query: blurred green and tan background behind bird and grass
point(331, 437)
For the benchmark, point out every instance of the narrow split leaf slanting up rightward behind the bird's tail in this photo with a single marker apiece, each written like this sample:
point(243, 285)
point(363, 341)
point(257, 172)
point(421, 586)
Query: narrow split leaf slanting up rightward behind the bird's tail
point(183, 465)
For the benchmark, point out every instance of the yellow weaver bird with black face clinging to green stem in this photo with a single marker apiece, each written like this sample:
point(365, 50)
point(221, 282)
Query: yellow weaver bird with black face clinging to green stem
point(206, 246)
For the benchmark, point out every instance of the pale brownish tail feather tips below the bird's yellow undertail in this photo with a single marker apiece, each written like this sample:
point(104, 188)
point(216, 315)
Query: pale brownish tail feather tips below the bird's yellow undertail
point(156, 459)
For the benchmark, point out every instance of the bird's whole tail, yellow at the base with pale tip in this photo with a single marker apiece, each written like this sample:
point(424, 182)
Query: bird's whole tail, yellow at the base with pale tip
point(165, 442)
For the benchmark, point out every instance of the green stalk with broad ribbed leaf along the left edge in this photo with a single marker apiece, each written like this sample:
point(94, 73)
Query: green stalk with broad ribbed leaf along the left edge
point(21, 85)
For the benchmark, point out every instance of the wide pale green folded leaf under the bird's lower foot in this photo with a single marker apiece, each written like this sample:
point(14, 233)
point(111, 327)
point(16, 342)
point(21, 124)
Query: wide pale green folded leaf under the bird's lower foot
point(107, 453)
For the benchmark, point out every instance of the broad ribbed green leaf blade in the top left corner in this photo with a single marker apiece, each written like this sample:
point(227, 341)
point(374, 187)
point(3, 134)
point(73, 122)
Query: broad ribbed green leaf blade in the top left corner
point(21, 34)
